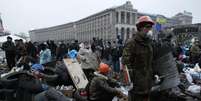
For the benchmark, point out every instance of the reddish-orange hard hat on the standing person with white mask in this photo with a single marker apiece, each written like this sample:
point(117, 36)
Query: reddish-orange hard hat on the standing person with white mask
point(144, 19)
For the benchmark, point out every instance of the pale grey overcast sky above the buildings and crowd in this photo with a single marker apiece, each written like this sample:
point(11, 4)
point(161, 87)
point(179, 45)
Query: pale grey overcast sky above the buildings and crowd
point(24, 15)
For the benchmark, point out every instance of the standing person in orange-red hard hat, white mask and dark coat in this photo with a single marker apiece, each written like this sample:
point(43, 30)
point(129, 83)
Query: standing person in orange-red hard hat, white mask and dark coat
point(138, 57)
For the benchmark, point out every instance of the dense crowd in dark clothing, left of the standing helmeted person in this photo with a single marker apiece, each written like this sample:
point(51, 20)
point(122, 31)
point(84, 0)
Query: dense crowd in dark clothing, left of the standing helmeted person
point(42, 53)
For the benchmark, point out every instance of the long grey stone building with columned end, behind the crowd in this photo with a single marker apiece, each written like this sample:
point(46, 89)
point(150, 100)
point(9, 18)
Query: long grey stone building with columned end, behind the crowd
point(106, 25)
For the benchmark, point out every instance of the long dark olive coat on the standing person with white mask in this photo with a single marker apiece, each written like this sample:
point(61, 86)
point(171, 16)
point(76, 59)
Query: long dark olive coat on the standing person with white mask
point(138, 56)
